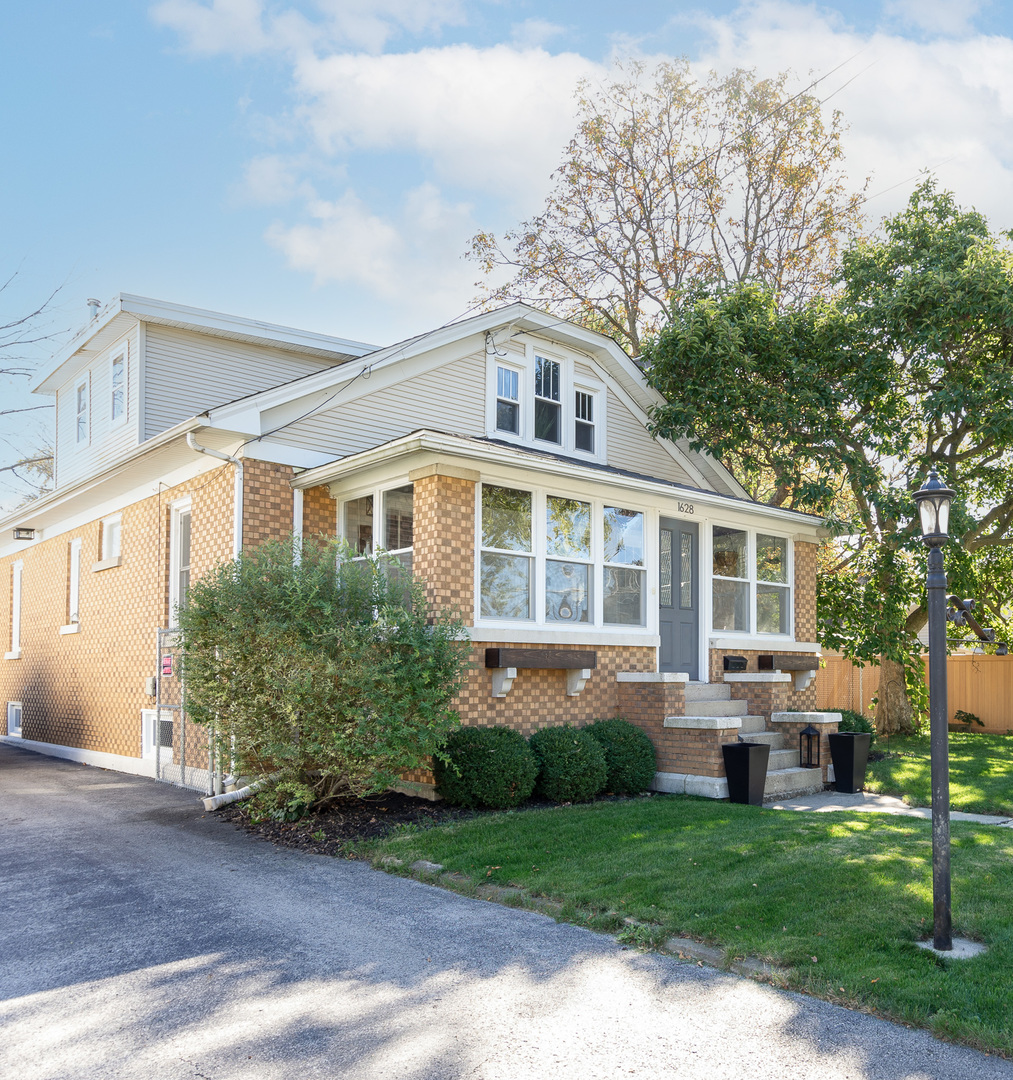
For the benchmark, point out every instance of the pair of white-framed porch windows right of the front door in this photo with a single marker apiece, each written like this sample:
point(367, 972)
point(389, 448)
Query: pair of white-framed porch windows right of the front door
point(752, 590)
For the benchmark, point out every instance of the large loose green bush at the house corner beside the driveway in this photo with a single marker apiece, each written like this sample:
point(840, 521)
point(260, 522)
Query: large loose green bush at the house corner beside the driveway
point(329, 670)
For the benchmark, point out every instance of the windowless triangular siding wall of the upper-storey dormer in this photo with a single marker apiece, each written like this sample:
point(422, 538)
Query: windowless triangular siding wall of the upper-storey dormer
point(187, 374)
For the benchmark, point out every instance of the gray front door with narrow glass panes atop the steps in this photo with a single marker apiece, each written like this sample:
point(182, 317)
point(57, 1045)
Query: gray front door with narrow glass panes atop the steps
point(679, 598)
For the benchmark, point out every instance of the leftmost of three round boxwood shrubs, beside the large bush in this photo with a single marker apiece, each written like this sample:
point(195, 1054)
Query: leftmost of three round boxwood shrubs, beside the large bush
point(487, 767)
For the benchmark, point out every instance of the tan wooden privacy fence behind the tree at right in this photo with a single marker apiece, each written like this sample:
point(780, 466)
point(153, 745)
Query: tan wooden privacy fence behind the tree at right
point(982, 685)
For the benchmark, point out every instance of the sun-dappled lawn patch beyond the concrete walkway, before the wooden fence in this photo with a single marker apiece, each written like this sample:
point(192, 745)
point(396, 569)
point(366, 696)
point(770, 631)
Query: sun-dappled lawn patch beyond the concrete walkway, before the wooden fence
point(981, 772)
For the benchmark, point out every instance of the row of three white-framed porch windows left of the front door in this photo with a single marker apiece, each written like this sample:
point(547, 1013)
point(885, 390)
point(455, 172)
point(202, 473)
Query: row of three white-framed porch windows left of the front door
point(588, 566)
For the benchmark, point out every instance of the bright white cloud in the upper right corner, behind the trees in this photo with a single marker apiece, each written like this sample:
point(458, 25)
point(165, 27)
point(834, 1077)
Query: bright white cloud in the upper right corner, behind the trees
point(944, 105)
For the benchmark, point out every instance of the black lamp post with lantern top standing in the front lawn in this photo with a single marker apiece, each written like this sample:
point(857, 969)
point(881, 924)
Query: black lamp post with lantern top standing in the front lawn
point(934, 499)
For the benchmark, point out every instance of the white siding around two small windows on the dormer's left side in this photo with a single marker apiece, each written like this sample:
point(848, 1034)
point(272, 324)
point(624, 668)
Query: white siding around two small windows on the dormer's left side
point(106, 441)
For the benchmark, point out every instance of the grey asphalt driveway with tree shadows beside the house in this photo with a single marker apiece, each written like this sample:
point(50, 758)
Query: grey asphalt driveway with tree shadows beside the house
point(140, 939)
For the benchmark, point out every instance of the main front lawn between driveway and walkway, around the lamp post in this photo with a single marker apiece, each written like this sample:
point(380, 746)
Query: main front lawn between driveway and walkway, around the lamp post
point(836, 901)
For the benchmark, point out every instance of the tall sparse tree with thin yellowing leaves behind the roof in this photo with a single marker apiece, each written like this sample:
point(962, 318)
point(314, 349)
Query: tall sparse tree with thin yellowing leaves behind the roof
point(732, 180)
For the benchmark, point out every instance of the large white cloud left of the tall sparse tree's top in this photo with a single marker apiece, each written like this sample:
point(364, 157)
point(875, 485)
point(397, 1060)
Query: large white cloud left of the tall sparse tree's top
point(492, 119)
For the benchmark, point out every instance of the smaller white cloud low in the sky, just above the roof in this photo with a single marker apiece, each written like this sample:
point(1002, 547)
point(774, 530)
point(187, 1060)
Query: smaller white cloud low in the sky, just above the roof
point(411, 259)
